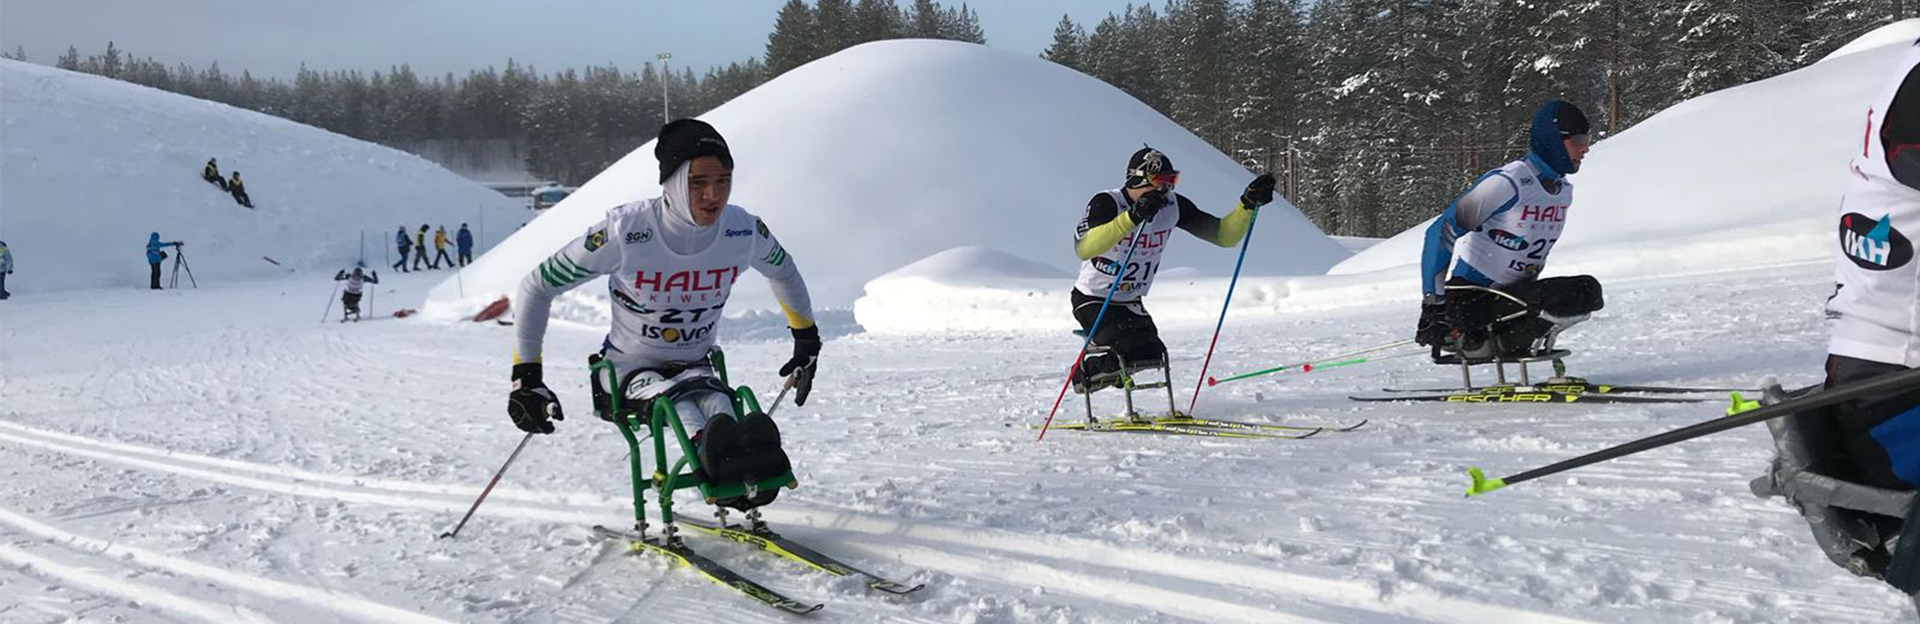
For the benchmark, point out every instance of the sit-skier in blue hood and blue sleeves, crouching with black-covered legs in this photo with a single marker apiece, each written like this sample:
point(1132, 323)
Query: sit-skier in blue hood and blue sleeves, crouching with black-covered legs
point(1512, 218)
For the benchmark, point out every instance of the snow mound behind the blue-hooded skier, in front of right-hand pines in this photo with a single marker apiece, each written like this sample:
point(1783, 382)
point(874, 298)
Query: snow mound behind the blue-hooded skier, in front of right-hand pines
point(1740, 178)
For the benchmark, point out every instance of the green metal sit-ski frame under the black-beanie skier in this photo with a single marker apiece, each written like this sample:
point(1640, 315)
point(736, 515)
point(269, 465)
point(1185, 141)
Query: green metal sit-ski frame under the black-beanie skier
point(686, 473)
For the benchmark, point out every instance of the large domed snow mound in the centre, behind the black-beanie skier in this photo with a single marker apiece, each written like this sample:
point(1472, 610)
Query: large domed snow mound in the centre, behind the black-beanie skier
point(876, 156)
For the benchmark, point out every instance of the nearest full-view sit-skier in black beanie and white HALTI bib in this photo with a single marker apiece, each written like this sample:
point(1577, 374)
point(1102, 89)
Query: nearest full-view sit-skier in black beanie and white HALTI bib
point(667, 306)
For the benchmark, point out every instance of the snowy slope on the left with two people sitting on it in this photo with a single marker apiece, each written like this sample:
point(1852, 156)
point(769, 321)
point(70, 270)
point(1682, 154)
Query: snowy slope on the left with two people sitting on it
point(91, 166)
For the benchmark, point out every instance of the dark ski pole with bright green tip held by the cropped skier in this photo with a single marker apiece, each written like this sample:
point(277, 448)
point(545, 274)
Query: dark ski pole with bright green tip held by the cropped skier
point(1906, 379)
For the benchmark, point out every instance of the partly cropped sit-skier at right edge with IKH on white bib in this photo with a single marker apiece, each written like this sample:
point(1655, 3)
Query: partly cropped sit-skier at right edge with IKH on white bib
point(1852, 468)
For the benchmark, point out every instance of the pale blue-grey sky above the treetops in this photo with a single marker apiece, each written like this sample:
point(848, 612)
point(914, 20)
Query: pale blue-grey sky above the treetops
point(274, 37)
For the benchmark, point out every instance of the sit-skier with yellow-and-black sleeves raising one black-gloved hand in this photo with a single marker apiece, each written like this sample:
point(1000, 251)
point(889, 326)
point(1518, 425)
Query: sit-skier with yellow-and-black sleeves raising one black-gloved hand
point(1141, 216)
